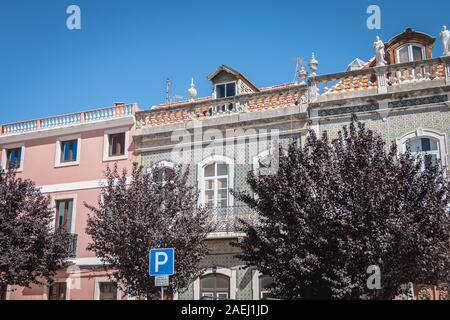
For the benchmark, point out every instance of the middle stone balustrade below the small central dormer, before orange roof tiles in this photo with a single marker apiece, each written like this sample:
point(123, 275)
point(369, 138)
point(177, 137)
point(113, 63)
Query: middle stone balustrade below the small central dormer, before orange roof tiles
point(268, 99)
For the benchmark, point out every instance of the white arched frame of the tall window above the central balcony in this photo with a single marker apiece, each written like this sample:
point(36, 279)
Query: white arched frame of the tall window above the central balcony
point(201, 177)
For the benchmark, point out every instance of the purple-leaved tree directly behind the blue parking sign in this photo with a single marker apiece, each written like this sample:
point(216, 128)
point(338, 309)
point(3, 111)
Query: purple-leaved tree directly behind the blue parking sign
point(154, 210)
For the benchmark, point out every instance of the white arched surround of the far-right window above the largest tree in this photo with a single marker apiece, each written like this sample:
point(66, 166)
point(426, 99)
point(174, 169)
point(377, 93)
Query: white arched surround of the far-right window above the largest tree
point(426, 133)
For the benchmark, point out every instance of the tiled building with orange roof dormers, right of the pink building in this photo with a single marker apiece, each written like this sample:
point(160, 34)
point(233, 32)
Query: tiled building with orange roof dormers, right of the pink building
point(225, 135)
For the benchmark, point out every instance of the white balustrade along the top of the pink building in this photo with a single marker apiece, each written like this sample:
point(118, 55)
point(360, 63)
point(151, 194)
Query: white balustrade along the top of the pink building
point(119, 110)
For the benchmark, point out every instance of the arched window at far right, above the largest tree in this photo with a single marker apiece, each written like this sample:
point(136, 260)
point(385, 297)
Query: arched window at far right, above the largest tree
point(427, 148)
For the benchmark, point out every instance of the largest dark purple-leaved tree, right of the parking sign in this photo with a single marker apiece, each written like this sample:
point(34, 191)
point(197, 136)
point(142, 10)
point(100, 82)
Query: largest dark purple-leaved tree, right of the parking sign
point(336, 207)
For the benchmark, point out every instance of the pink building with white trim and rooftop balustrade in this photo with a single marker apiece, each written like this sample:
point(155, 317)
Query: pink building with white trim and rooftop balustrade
point(66, 157)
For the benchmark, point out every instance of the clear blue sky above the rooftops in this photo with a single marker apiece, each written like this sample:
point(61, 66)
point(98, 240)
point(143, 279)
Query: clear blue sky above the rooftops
point(127, 48)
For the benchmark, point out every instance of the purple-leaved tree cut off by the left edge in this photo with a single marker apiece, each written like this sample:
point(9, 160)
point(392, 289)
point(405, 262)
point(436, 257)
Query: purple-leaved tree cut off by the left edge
point(31, 250)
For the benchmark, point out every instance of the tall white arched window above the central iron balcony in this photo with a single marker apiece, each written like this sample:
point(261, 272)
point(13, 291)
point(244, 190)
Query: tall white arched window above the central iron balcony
point(216, 176)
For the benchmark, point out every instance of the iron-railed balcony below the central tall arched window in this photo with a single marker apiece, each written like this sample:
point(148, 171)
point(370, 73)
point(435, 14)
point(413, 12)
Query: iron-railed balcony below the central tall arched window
point(227, 220)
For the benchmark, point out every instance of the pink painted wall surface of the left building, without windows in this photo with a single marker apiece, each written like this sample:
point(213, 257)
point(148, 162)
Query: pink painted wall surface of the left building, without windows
point(39, 166)
